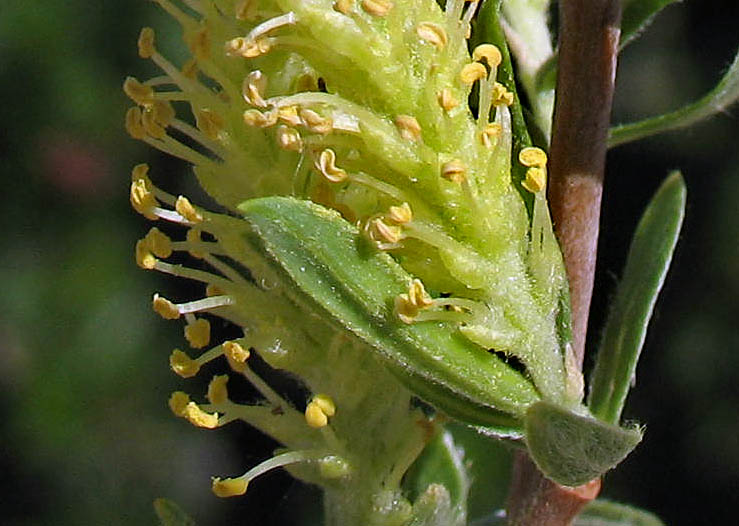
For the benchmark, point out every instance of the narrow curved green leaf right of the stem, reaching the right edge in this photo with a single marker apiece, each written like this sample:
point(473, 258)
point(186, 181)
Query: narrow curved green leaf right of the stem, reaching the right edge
point(717, 100)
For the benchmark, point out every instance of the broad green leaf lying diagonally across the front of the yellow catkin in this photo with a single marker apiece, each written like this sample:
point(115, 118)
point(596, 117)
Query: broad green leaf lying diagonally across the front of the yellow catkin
point(326, 259)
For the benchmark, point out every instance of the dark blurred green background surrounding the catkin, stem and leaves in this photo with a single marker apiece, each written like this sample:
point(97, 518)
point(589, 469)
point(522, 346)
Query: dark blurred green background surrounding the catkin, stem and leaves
point(85, 434)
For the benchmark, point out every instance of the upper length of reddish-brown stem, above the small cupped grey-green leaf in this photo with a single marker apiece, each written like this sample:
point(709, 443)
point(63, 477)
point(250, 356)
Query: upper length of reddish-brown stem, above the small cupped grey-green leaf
point(588, 49)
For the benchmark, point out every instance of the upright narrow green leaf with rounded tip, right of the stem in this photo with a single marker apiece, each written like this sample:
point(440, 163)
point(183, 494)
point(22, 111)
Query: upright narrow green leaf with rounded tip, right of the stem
point(646, 268)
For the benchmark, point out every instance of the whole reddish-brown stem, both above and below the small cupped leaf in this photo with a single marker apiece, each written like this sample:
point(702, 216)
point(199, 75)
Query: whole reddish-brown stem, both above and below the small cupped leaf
point(588, 50)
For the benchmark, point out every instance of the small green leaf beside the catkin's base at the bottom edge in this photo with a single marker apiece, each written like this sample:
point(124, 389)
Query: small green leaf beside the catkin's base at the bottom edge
point(440, 463)
